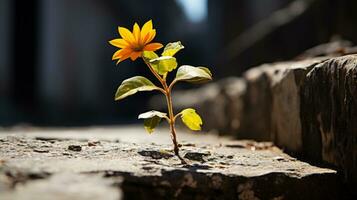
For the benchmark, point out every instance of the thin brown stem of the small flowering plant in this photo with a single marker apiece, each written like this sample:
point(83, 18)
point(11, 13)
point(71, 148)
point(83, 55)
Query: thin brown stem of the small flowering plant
point(171, 120)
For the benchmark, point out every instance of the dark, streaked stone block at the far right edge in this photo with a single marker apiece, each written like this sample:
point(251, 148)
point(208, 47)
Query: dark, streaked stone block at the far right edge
point(329, 113)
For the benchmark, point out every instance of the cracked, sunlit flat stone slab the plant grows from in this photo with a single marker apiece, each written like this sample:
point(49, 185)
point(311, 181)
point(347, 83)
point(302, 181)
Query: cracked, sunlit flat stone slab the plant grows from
point(219, 168)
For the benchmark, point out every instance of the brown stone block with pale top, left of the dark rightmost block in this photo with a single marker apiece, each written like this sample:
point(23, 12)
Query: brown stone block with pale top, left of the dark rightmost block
point(272, 102)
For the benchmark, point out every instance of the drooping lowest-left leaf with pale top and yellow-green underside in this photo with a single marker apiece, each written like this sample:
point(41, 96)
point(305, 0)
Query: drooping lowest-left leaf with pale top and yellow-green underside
point(152, 119)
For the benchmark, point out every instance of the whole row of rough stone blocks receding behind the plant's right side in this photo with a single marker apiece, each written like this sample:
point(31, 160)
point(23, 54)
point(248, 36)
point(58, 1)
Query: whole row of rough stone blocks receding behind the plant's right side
point(307, 107)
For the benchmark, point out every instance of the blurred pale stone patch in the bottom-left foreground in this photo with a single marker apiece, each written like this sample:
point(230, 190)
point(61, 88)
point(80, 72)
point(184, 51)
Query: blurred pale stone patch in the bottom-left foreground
point(61, 186)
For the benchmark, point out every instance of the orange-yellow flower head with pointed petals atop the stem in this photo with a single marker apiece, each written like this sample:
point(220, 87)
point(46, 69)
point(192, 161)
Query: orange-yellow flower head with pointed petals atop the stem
point(132, 44)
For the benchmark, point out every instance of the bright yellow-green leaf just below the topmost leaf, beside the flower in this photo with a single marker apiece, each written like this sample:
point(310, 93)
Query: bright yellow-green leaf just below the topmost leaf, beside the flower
point(164, 64)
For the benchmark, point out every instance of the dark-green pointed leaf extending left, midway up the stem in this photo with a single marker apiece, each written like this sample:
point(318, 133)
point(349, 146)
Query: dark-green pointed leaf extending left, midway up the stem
point(133, 85)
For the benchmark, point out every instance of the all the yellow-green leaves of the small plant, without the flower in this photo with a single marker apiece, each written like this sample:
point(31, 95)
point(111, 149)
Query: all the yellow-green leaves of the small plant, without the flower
point(162, 65)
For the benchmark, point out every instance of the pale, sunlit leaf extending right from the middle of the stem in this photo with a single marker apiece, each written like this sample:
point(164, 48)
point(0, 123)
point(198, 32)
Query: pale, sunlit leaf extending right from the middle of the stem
point(193, 74)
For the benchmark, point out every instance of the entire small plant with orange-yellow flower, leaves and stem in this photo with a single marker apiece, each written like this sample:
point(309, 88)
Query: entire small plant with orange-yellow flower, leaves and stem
point(138, 43)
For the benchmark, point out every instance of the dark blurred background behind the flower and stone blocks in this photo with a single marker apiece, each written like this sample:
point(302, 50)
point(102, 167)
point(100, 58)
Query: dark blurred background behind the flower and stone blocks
point(55, 60)
